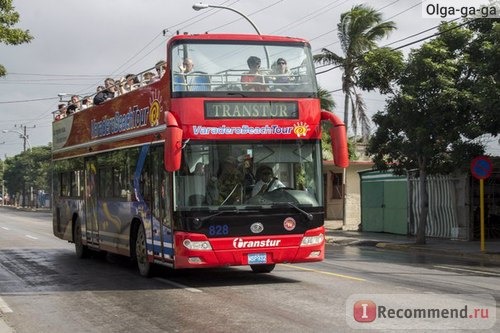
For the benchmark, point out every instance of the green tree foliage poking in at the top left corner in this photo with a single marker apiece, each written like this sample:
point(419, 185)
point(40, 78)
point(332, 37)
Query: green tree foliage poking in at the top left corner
point(8, 34)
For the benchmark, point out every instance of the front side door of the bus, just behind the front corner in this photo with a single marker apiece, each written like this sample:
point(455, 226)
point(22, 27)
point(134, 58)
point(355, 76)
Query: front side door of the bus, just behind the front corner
point(162, 213)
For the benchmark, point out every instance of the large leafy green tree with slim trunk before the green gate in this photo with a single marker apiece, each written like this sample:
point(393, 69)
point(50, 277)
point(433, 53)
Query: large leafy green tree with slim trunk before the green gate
point(431, 124)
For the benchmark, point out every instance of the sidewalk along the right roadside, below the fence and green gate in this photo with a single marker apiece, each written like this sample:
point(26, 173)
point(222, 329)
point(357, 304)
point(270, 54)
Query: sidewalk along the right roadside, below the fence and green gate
point(457, 248)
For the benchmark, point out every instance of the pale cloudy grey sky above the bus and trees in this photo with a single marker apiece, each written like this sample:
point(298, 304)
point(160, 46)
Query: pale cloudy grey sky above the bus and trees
point(79, 43)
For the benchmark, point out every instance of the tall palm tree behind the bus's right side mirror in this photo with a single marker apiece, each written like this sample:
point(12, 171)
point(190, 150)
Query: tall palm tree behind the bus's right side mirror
point(359, 30)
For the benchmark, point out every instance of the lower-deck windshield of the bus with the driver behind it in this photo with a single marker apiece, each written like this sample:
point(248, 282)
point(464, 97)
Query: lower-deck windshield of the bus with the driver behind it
point(221, 174)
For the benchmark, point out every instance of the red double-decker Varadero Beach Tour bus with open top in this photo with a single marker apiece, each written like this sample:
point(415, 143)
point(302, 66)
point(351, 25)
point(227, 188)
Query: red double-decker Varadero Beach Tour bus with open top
point(167, 174)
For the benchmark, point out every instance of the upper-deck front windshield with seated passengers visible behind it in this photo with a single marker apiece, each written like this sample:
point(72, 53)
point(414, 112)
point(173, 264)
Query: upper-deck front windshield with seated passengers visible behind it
point(225, 68)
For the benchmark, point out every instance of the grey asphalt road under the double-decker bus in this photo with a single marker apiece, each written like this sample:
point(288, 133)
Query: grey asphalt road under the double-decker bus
point(45, 288)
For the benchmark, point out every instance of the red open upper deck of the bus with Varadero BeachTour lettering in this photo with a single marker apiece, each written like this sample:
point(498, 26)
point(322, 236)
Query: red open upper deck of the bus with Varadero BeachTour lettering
point(223, 85)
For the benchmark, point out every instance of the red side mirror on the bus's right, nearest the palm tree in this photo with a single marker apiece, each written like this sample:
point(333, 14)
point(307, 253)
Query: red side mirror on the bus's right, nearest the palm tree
point(339, 139)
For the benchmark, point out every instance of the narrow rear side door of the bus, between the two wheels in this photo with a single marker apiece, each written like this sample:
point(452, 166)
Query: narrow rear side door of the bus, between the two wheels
point(92, 228)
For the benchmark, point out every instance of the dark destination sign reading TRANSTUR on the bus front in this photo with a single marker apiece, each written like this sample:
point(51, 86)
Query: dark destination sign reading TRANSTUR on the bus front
point(269, 109)
